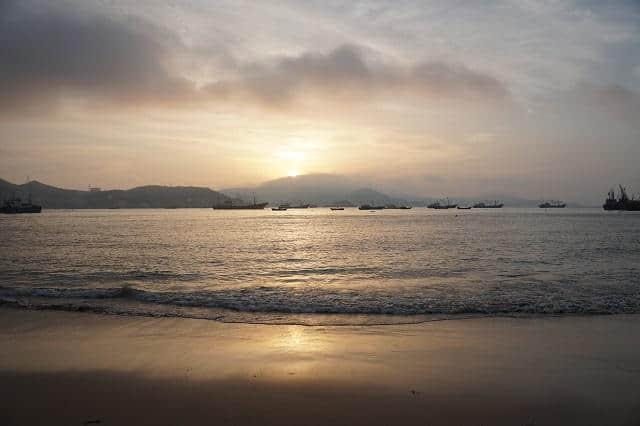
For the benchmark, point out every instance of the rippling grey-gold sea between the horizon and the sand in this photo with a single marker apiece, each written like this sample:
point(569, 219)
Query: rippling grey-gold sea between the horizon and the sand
point(315, 266)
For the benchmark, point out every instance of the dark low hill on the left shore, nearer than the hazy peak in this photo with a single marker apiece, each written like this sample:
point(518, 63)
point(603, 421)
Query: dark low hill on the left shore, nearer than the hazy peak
point(51, 197)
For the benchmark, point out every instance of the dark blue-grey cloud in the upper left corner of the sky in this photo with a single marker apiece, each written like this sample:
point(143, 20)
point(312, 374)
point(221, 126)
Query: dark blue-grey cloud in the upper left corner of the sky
point(44, 55)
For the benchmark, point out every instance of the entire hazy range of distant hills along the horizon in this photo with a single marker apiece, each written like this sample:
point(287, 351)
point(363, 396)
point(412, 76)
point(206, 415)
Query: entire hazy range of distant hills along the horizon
point(320, 189)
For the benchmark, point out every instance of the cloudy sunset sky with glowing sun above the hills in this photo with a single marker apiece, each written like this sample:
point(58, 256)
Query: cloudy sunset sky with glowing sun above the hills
point(539, 99)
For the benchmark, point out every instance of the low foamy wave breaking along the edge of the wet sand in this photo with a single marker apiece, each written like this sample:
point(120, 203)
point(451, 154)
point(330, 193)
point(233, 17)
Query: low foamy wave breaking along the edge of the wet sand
point(284, 305)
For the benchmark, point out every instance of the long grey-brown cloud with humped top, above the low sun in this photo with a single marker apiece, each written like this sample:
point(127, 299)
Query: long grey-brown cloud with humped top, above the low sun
point(346, 71)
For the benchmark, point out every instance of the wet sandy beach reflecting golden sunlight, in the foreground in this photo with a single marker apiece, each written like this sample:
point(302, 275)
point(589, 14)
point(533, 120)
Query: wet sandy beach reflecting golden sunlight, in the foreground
point(63, 368)
